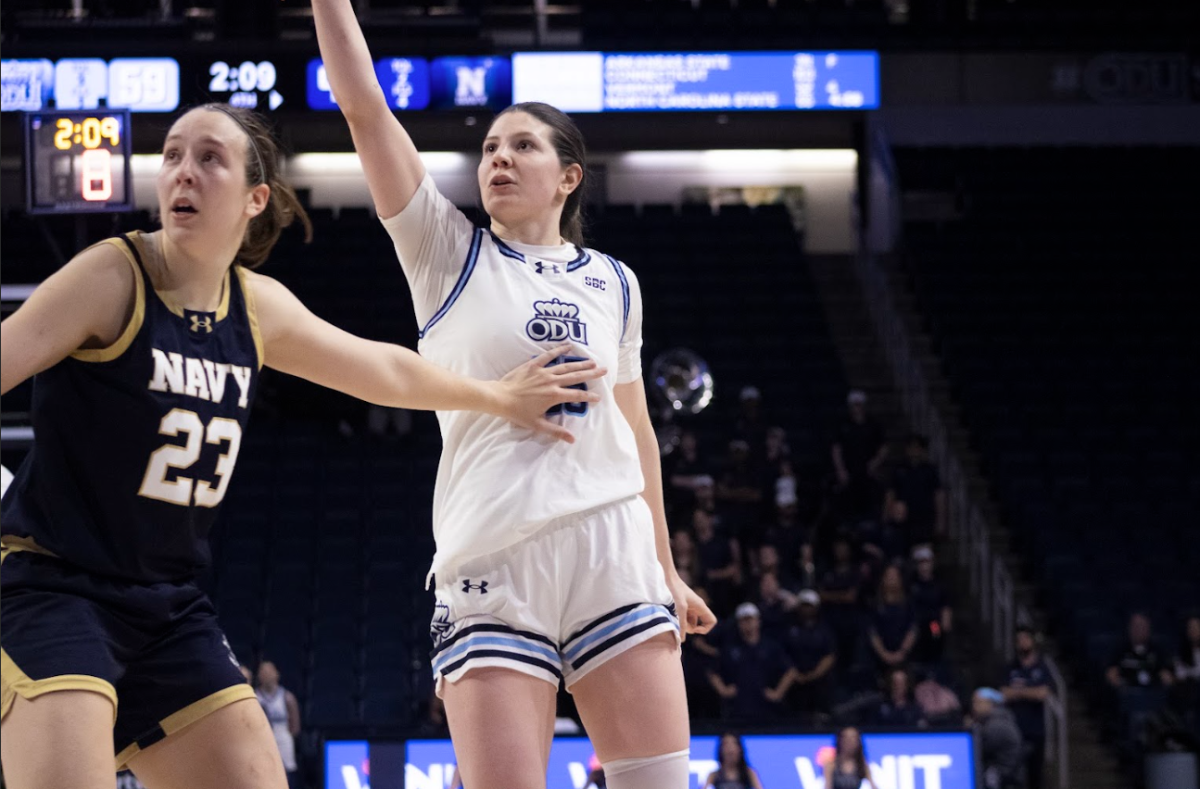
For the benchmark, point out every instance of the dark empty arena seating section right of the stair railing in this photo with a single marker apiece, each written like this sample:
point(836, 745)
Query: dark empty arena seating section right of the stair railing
point(1060, 308)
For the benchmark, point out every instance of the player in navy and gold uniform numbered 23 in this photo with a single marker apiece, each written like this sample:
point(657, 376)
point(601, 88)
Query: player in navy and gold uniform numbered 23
point(147, 351)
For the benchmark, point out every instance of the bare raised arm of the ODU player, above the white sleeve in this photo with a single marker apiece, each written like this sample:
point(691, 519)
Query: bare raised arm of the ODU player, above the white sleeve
point(393, 167)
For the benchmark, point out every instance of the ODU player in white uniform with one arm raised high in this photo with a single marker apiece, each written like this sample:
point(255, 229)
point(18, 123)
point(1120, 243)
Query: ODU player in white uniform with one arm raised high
point(553, 563)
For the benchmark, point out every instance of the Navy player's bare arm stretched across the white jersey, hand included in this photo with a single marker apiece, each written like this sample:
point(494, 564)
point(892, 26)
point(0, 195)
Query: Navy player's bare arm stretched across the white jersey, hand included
point(298, 342)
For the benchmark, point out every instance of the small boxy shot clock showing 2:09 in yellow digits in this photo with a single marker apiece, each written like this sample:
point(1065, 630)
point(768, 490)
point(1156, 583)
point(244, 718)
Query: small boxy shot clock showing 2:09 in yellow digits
point(77, 162)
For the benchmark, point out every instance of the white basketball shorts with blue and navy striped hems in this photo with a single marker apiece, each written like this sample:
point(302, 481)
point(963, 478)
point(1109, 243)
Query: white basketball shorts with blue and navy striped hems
point(556, 606)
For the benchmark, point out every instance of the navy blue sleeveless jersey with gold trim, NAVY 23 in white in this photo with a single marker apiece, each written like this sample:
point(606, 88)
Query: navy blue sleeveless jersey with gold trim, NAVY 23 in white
point(135, 444)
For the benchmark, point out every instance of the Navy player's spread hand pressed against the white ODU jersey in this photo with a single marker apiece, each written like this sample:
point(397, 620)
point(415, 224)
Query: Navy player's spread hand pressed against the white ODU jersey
point(537, 387)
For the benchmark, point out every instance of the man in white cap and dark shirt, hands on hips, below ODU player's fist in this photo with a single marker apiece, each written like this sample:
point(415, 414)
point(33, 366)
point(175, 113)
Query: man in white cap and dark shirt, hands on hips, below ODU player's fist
point(754, 673)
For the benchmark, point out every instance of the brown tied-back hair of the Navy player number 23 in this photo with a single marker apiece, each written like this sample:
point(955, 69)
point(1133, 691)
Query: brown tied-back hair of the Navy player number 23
point(284, 208)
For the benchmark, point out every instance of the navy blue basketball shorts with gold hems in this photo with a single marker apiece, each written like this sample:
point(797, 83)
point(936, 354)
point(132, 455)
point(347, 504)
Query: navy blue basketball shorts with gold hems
point(155, 651)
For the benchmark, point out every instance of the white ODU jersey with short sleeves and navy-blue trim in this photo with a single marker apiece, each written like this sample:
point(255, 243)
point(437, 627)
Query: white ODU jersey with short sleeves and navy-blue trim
point(487, 306)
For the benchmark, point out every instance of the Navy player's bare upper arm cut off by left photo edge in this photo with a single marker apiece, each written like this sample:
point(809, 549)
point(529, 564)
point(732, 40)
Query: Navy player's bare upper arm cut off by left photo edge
point(86, 305)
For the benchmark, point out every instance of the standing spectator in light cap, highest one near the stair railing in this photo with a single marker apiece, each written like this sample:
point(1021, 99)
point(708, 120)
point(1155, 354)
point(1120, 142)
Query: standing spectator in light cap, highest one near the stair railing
point(859, 451)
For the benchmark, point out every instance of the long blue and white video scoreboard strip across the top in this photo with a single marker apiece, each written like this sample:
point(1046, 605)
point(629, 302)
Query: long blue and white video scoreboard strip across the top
point(577, 82)
